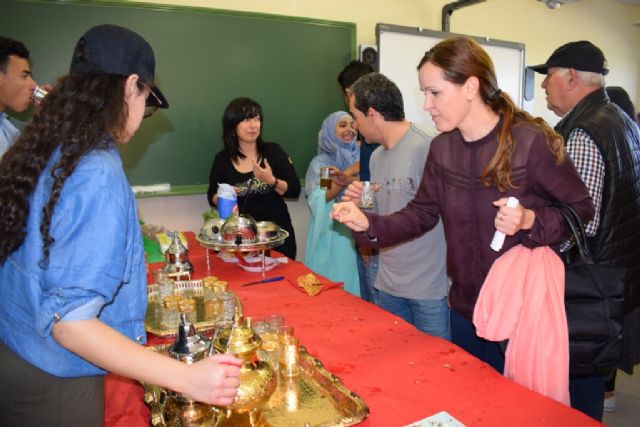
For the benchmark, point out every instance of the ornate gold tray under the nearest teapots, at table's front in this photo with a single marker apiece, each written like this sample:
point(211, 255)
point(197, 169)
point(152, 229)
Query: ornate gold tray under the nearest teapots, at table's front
point(316, 398)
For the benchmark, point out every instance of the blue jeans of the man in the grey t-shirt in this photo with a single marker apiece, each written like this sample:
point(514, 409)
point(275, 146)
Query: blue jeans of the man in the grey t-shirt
point(428, 315)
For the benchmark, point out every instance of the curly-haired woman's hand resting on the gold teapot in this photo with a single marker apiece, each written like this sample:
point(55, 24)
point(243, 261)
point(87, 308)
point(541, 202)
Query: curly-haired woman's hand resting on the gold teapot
point(214, 380)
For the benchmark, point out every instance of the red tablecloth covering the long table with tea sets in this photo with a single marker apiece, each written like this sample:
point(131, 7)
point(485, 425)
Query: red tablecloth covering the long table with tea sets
point(402, 374)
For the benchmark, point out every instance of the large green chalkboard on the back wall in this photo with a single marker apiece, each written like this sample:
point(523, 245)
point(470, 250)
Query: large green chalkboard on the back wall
point(204, 58)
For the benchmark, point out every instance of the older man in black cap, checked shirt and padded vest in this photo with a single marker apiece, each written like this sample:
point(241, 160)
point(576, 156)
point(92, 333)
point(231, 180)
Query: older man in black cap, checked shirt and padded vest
point(603, 143)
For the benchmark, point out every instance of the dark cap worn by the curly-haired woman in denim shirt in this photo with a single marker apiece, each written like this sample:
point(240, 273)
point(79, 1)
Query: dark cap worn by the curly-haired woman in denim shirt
point(111, 49)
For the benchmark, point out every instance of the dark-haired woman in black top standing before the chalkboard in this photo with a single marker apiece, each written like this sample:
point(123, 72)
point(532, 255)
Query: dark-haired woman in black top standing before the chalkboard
point(261, 172)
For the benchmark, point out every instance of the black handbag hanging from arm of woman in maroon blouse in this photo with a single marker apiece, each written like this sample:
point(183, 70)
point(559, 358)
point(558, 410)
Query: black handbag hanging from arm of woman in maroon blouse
point(594, 296)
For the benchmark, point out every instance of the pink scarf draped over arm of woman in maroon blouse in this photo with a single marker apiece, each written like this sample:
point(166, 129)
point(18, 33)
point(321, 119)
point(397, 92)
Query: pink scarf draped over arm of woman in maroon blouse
point(522, 300)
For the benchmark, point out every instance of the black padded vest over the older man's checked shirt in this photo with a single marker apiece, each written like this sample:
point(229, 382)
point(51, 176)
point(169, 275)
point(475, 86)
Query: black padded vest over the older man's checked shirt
point(617, 240)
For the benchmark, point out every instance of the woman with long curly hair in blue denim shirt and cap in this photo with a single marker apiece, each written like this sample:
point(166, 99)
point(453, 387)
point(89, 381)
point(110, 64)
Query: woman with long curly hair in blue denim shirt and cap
point(72, 271)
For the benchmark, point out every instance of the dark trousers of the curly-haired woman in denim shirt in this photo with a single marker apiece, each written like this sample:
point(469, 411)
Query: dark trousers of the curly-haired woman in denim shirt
point(31, 397)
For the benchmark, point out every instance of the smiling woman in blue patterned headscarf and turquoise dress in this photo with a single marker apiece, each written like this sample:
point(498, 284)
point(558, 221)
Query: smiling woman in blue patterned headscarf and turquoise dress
point(330, 249)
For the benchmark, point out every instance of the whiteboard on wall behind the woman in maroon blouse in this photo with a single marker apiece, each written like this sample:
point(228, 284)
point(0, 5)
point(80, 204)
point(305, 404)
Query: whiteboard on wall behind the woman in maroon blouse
point(400, 50)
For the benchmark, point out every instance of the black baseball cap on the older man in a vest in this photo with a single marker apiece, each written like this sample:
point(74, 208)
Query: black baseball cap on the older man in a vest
point(581, 56)
